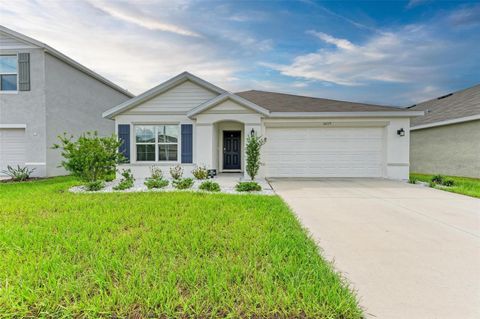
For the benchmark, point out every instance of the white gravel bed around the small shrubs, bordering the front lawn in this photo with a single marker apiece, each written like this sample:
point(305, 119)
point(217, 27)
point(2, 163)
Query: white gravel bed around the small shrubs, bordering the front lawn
point(139, 186)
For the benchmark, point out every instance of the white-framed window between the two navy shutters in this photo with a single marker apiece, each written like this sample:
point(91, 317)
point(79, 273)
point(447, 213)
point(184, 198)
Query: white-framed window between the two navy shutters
point(157, 143)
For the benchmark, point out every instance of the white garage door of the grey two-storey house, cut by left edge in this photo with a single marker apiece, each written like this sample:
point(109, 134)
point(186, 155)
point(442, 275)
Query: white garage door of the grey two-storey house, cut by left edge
point(12, 148)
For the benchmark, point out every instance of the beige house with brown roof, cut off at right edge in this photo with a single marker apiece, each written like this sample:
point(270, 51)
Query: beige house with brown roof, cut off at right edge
point(447, 139)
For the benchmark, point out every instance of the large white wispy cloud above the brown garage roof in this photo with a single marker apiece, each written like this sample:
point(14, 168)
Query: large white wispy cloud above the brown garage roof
point(397, 57)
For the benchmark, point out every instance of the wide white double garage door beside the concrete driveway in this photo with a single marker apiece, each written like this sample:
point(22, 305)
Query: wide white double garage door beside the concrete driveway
point(324, 152)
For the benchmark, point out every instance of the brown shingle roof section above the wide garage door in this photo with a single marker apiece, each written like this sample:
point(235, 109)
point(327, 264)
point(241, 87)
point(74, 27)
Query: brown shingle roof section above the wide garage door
point(281, 102)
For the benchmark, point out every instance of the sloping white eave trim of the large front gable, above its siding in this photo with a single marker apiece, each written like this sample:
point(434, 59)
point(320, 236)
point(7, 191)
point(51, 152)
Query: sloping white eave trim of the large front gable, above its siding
point(159, 89)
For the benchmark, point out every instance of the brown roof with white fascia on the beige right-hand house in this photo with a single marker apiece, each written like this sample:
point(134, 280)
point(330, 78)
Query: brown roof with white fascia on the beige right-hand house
point(451, 108)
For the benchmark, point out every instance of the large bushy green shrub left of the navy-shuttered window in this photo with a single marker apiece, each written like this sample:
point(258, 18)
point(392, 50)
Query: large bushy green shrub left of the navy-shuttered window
point(90, 157)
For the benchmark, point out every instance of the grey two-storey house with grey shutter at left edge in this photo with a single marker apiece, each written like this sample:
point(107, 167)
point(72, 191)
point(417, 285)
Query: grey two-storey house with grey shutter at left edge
point(43, 93)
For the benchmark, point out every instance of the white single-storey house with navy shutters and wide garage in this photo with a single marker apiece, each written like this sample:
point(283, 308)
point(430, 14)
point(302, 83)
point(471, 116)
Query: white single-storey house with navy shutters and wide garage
point(190, 121)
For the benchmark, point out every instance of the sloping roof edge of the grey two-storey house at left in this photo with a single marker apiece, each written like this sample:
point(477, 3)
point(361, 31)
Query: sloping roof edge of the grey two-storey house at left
point(63, 58)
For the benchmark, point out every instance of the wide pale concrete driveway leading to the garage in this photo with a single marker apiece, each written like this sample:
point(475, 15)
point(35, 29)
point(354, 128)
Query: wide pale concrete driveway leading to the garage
point(408, 250)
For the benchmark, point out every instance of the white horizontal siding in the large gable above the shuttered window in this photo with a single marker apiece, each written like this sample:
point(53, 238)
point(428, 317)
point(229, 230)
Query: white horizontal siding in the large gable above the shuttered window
point(181, 98)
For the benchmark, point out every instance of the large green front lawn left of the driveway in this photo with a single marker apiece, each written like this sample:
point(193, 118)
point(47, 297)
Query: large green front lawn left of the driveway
point(159, 255)
